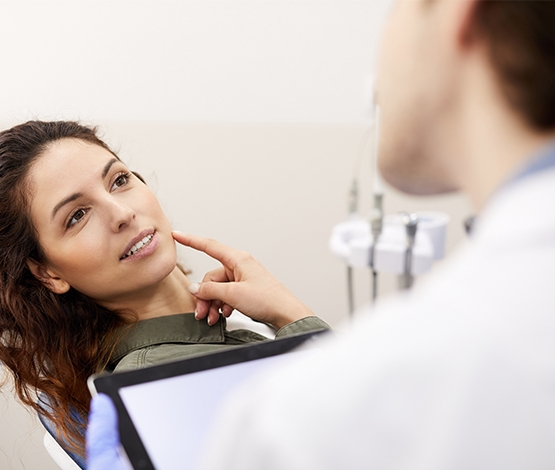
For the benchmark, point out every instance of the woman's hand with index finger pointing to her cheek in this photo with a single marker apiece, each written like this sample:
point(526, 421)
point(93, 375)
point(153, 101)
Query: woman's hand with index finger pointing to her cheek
point(241, 283)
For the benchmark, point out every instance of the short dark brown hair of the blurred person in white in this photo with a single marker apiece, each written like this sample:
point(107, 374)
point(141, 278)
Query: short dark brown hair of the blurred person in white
point(521, 43)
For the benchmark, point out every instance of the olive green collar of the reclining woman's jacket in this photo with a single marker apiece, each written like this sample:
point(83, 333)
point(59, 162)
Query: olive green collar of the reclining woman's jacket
point(180, 328)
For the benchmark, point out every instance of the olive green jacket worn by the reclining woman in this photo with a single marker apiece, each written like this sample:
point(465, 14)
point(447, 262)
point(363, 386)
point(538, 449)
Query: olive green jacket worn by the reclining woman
point(175, 337)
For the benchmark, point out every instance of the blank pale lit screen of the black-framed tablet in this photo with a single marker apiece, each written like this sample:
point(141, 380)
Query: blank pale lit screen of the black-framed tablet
point(172, 416)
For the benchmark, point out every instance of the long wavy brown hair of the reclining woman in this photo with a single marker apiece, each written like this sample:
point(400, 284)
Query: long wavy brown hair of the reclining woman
point(50, 343)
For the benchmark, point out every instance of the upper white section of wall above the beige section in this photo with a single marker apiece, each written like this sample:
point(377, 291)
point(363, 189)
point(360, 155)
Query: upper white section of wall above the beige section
point(203, 60)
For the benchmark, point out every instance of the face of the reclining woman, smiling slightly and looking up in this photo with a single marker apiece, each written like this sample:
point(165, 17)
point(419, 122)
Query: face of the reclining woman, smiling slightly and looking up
point(102, 230)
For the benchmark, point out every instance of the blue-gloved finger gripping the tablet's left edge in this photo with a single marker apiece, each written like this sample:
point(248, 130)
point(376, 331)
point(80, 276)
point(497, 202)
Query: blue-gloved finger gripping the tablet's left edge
point(103, 436)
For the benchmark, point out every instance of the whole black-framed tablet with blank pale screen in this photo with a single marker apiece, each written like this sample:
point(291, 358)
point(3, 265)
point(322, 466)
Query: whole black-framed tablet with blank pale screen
point(165, 411)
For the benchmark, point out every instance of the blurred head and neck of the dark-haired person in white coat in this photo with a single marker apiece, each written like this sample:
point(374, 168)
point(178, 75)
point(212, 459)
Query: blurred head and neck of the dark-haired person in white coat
point(466, 88)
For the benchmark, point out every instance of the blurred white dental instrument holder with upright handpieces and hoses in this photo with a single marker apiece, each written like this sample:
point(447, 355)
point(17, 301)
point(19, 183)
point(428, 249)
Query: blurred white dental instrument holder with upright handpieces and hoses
point(403, 244)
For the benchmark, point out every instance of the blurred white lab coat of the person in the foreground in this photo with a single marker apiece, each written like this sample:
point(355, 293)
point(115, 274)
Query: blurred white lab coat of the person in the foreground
point(460, 374)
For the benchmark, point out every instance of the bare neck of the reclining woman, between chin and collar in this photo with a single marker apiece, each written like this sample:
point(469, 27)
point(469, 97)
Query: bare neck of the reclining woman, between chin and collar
point(169, 297)
